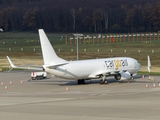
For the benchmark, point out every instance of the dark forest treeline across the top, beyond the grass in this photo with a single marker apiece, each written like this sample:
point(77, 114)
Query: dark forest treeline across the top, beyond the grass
point(80, 15)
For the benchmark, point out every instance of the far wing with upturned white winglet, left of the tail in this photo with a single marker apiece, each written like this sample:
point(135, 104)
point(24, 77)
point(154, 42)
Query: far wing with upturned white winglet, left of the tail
point(29, 67)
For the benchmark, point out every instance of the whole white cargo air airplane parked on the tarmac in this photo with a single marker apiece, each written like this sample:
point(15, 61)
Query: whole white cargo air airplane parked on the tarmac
point(122, 68)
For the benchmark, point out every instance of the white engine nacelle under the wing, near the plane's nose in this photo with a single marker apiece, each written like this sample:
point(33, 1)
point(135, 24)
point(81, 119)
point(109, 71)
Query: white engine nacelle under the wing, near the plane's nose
point(123, 76)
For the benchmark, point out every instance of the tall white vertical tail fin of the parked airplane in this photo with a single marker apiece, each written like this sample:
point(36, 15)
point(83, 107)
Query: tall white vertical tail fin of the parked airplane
point(49, 55)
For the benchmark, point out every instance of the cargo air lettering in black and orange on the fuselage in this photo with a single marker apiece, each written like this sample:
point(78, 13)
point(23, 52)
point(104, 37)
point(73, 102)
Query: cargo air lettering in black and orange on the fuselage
point(116, 64)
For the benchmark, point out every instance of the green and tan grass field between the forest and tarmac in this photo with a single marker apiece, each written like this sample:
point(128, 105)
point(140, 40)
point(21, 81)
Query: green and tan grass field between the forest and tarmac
point(24, 48)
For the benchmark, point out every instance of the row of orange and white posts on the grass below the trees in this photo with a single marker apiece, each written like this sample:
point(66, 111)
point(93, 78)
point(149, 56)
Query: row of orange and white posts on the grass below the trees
point(111, 38)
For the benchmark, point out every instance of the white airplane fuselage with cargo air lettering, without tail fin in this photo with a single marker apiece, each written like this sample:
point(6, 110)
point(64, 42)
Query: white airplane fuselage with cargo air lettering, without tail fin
point(87, 69)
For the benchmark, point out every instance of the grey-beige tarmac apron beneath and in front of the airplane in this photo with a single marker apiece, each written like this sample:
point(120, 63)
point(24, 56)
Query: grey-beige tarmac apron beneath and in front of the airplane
point(58, 99)
